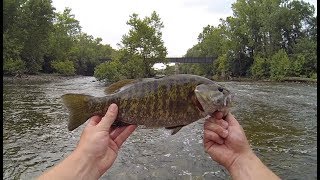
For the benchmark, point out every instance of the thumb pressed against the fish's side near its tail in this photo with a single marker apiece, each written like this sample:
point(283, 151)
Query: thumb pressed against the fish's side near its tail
point(109, 118)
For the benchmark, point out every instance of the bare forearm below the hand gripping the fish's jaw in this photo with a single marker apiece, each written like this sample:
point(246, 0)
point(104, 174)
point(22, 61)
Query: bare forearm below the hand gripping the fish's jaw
point(250, 167)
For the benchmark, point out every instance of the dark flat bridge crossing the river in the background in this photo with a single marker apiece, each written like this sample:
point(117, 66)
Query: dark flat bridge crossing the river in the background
point(207, 60)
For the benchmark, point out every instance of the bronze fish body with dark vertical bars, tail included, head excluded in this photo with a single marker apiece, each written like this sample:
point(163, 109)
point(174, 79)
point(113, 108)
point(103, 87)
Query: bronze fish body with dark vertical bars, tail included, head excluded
point(166, 102)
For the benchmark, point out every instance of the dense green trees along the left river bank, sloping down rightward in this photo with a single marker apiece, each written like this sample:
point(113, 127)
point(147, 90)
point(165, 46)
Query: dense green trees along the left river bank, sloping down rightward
point(37, 39)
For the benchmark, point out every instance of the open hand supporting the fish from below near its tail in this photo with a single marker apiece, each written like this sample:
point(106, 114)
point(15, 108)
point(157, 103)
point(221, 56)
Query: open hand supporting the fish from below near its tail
point(99, 142)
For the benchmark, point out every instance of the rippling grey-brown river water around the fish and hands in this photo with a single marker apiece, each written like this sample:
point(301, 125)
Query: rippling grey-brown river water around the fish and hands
point(280, 121)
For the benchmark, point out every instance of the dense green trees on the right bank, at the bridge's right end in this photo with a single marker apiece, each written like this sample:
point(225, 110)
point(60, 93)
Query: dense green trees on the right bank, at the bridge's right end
point(264, 39)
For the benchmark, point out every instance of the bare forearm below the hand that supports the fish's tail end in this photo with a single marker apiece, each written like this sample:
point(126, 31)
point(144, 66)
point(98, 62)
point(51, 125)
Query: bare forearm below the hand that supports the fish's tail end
point(73, 167)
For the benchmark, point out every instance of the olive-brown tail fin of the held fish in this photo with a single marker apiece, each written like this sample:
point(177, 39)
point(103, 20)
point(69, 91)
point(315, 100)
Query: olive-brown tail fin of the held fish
point(78, 107)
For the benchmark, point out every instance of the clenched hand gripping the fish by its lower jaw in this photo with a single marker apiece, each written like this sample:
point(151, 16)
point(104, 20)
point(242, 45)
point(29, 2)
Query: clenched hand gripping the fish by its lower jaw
point(225, 140)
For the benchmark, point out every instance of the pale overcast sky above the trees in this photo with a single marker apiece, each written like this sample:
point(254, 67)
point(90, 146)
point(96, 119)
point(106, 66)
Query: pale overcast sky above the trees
point(183, 19)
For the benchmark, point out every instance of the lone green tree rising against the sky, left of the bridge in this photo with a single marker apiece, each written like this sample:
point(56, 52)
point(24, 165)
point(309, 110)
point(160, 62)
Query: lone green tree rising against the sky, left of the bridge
point(145, 41)
